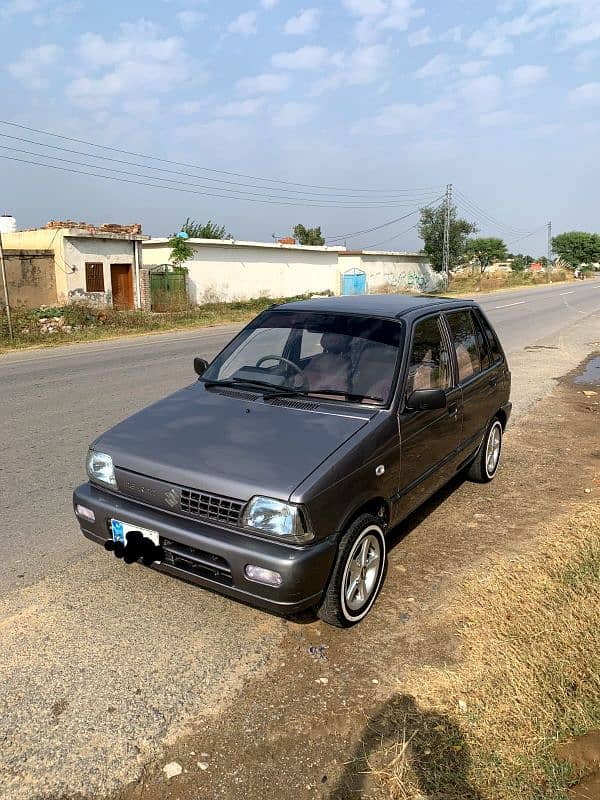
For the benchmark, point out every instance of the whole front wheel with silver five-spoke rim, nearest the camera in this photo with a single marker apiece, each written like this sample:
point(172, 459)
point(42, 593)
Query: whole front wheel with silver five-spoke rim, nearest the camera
point(358, 573)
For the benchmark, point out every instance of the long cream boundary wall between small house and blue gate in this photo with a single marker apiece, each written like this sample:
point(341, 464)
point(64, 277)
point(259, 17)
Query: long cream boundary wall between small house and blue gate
point(240, 271)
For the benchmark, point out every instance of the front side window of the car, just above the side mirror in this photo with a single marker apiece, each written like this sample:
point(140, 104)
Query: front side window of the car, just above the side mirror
point(429, 366)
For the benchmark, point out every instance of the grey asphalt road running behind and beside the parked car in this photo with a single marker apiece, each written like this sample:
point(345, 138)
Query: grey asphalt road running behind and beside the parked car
point(98, 661)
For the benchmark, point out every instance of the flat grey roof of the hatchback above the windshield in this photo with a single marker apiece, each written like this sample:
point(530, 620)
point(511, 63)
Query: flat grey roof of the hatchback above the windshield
point(375, 305)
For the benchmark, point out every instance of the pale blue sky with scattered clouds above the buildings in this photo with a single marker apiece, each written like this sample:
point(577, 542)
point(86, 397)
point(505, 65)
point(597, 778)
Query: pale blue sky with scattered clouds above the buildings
point(345, 114)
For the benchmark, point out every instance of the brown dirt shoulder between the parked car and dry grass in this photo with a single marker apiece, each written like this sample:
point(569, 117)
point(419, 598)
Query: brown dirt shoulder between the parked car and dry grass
point(302, 728)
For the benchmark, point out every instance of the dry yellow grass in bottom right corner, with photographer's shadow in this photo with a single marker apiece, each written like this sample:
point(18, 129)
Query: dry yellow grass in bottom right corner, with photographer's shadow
point(528, 676)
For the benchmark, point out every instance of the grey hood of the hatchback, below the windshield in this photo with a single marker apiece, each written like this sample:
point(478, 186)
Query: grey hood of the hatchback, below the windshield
point(230, 445)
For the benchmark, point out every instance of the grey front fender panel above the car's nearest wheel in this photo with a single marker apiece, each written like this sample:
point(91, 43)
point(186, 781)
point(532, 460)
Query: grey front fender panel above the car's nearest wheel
point(347, 480)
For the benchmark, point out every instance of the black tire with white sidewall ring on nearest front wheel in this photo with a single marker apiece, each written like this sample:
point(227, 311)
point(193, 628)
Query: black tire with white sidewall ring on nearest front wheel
point(334, 608)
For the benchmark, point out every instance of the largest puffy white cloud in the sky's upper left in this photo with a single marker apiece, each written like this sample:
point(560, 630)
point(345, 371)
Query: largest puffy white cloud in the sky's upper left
point(137, 61)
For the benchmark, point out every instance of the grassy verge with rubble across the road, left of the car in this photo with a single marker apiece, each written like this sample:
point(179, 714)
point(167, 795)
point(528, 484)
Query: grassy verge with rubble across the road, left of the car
point(78, 322)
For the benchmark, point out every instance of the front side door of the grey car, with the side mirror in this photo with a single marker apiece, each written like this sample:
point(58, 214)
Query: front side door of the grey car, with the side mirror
point(429, 440)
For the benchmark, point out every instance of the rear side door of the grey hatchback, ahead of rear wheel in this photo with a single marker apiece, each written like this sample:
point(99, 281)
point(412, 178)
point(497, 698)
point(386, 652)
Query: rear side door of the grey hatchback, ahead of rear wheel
point(477, 374)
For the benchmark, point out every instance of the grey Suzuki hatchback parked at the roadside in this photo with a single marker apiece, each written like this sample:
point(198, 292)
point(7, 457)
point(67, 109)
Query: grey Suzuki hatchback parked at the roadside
point(275, 477)
